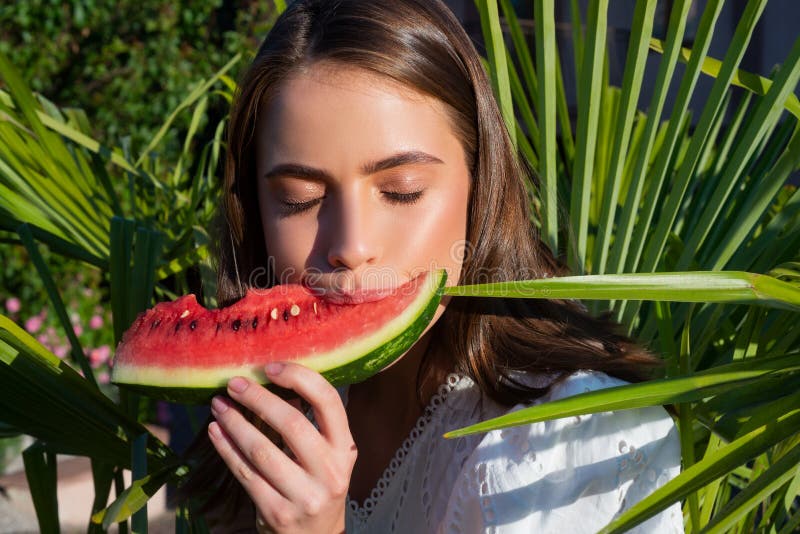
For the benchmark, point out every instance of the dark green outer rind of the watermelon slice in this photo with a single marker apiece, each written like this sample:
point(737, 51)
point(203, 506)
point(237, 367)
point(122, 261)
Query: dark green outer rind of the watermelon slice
point(354, 371)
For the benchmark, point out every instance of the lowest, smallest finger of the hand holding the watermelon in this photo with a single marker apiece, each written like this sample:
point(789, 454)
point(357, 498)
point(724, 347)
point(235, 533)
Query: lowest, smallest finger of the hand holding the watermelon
point(261, 492)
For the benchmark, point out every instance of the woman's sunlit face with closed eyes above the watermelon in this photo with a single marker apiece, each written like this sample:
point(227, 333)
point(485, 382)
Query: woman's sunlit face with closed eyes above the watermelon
point(362, 183)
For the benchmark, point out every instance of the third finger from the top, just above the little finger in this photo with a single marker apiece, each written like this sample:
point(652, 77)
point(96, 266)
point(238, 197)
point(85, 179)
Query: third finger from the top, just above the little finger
point(258, 453)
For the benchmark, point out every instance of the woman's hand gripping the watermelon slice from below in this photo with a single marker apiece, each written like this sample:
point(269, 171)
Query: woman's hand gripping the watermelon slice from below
point(304, 494)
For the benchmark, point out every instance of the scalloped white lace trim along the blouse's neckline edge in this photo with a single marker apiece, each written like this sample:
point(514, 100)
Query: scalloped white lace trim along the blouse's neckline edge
point(362, 513)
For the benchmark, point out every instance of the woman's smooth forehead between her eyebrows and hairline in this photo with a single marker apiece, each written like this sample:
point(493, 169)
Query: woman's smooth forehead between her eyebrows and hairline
point(332, 109)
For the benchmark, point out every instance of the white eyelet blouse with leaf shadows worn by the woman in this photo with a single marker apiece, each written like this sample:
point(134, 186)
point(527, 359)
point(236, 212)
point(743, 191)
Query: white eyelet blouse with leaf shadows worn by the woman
point(566, 475)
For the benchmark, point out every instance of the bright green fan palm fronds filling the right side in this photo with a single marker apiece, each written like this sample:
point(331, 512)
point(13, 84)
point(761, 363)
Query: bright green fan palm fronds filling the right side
point(647, 193)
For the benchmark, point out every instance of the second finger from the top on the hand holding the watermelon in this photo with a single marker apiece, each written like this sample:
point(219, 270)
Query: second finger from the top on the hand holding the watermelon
point(305, 441)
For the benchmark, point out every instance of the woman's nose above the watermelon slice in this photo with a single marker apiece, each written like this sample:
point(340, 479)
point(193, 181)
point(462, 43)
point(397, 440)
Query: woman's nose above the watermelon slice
point(354, 236)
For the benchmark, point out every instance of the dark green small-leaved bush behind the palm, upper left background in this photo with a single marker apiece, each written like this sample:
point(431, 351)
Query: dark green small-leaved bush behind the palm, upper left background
point(128, 63)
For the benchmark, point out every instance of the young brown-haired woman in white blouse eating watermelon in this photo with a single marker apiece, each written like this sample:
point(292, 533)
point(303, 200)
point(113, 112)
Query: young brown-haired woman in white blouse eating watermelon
point(365, 145)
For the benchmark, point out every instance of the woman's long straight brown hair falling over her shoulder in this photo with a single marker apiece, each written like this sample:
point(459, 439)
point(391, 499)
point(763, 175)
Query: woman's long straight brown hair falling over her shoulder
point(420, 44)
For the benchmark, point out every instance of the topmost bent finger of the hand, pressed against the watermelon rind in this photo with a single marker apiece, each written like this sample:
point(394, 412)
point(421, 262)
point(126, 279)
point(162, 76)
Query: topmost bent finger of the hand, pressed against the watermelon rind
point(328, 408)
